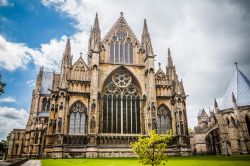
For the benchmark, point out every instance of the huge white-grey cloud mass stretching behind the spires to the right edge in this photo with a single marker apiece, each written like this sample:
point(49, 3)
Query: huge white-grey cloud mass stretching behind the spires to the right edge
point(206, 38)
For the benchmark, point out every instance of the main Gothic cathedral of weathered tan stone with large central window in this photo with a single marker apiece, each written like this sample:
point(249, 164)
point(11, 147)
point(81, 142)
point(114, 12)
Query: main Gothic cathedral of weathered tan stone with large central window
point(96, 109)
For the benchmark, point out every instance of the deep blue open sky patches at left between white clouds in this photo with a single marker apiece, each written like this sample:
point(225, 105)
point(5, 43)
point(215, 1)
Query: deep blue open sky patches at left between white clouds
point(31, 23)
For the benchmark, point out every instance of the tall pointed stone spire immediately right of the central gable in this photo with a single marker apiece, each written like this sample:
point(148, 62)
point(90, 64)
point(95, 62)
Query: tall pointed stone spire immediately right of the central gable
point(146, 40)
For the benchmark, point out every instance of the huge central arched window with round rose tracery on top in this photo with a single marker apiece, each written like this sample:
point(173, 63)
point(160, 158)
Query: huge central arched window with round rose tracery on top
point(121, 105)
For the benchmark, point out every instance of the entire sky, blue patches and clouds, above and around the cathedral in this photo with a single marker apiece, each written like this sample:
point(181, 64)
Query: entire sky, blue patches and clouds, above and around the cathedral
point(33, 33)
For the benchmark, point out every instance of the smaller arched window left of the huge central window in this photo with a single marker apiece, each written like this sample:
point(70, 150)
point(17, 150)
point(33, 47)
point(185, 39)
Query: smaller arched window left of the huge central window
point(77, 119)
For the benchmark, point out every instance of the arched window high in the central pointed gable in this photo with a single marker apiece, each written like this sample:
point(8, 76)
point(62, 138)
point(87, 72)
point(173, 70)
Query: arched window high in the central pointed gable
point(121, 48)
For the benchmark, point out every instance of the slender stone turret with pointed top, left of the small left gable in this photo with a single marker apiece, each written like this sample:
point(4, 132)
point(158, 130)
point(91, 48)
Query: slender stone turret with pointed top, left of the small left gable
point(66, 65)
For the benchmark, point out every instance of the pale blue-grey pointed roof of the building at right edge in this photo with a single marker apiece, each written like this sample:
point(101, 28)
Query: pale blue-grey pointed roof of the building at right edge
point(240, 87)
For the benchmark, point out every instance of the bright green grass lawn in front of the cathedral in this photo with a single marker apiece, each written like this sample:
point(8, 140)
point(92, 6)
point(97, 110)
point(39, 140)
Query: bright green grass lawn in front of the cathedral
point(172, 161)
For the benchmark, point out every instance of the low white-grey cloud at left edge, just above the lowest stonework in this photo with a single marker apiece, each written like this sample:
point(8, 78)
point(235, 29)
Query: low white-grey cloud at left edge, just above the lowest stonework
point(11, 118)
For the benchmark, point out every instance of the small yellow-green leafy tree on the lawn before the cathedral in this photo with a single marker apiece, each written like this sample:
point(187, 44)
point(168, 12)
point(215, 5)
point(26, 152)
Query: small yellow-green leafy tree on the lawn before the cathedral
point(152, 150)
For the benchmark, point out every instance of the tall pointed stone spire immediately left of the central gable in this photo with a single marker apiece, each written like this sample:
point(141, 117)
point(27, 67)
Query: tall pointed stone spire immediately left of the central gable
point(95, 35)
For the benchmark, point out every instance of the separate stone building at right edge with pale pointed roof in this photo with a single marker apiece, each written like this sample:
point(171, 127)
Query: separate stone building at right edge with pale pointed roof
point(226, 130)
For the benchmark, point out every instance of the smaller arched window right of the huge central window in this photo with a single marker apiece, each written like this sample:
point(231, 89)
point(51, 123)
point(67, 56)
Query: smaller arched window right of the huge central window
point(164, 122)
